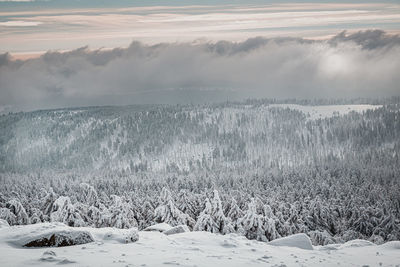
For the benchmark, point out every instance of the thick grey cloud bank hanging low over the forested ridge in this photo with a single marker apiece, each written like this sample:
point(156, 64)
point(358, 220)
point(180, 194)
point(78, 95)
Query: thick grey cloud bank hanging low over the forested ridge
point(364, 64)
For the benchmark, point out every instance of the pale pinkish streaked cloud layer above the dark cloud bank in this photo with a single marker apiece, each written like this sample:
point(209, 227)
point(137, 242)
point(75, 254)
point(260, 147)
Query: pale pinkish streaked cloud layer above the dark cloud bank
point(116, 26)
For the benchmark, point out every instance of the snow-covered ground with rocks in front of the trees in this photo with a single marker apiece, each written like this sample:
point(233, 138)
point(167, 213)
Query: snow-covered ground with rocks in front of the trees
point(186, 249)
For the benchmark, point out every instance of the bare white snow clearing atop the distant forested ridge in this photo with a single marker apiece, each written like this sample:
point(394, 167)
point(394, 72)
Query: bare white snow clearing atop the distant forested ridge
point(326, 111)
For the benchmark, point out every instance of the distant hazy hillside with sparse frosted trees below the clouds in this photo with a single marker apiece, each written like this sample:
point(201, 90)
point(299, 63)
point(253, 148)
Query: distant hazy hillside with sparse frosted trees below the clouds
point(181, 139)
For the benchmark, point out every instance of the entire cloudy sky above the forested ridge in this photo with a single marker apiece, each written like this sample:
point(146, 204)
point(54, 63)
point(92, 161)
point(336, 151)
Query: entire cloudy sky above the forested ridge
point(61, 53)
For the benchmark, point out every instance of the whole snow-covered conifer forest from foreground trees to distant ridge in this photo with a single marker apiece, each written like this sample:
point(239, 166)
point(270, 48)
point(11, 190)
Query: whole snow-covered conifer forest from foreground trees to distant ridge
point(261, 169)
